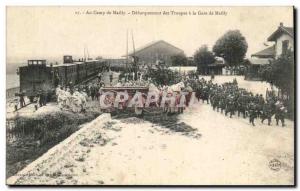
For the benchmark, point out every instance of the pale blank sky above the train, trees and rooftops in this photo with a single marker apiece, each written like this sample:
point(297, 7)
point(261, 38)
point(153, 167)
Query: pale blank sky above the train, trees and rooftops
point(51, 32)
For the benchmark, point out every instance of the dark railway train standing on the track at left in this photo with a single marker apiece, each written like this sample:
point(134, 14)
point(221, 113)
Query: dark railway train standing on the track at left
point(40, 76)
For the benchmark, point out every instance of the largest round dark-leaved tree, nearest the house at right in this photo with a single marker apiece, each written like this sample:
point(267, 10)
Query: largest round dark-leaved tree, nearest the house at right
point(232, 46)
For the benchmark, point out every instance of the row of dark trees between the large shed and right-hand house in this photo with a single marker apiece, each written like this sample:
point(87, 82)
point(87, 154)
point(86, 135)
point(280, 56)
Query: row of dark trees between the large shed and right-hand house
point(232, 47)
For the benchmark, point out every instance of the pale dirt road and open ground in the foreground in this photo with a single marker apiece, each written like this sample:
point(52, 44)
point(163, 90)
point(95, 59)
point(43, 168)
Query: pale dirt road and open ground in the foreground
point(133, 151)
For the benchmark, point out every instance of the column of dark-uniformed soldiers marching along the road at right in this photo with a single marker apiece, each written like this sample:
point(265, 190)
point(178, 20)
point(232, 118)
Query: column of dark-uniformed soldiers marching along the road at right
point(229, 99)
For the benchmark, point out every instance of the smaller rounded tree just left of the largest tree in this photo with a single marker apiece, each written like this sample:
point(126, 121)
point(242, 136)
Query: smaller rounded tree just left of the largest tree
point(203, 57)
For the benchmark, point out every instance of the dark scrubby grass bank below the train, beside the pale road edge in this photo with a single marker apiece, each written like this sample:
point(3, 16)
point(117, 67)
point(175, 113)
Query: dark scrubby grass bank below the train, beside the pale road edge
point(33, 136)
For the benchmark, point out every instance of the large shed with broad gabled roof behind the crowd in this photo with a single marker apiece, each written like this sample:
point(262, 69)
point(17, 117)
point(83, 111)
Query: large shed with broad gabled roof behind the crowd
point(161, 51)
